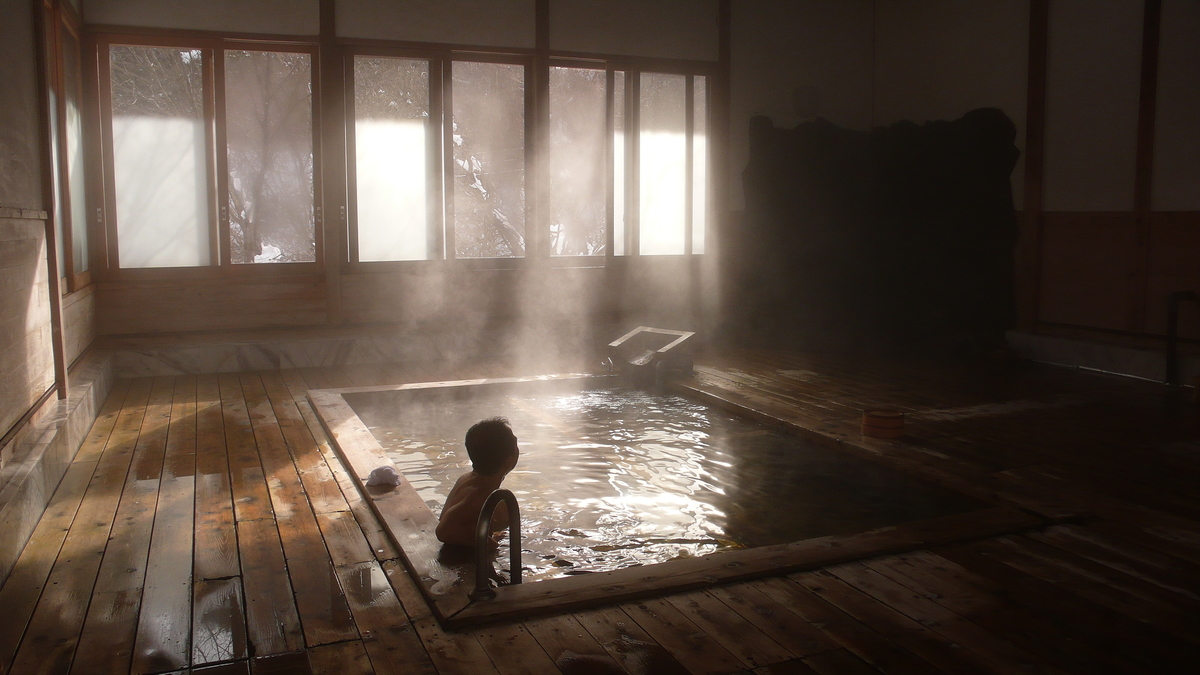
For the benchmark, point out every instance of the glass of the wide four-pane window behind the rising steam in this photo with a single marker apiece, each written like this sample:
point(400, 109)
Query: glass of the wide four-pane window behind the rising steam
point(625, 175)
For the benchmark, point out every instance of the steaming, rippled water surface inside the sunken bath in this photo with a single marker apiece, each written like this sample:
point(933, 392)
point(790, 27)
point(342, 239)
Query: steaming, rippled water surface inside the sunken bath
point(611, 479)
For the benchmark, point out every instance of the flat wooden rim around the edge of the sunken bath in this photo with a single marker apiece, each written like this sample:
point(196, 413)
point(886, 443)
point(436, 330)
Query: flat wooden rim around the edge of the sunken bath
point(410, 523)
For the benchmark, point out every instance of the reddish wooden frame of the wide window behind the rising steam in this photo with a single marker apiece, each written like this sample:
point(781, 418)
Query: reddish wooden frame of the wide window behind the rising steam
point(441, 152)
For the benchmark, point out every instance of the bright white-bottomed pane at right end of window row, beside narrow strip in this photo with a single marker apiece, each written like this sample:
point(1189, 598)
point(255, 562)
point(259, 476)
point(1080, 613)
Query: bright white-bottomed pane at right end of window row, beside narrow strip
point(663, 154)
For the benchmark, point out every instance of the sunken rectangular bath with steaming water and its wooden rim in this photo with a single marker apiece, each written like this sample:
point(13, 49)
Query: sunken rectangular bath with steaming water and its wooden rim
point(626, 494)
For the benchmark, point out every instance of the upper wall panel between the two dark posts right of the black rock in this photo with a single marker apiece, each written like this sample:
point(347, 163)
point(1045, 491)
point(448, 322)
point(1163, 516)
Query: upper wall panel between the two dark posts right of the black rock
point(1094, 75)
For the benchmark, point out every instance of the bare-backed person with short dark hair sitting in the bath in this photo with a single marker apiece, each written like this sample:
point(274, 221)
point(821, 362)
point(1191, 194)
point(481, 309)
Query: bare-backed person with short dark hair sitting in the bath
point(494, 453)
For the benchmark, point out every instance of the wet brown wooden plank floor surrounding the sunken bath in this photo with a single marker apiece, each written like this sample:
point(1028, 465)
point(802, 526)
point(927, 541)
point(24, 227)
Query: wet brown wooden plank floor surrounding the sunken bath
point(207, 525)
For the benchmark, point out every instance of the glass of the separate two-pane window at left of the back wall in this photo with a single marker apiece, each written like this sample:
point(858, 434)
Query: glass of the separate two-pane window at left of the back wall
point(211, 178)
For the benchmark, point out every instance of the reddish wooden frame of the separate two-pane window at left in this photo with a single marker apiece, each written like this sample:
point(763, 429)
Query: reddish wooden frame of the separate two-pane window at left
point(217, 153)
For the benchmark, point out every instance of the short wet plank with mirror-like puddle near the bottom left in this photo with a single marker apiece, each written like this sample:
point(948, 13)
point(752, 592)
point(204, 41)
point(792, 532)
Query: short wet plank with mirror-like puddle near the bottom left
point(219, 622)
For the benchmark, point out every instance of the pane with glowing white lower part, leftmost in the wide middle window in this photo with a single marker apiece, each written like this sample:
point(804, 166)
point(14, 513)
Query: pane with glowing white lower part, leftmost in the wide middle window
point(392, 118)
